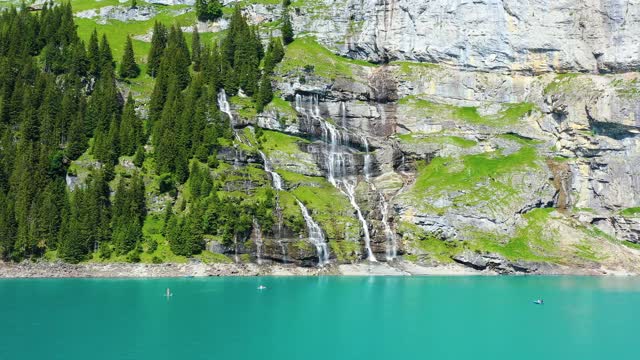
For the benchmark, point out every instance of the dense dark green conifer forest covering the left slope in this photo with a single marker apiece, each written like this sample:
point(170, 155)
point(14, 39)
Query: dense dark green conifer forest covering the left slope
point(60, 99)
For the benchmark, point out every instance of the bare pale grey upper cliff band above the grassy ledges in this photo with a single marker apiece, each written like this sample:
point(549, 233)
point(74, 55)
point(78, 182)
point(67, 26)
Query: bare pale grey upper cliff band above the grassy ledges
point(489, 35)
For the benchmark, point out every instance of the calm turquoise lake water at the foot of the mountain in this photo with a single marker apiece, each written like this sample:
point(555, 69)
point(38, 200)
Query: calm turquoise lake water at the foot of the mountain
point(321, 318)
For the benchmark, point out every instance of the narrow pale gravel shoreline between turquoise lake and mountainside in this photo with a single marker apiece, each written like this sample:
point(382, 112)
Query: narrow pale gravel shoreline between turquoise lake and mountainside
point(45, 270)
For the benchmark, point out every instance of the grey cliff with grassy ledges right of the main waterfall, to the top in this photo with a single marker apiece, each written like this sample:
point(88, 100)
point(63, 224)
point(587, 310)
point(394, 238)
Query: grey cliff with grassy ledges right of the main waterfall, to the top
point(496, 127)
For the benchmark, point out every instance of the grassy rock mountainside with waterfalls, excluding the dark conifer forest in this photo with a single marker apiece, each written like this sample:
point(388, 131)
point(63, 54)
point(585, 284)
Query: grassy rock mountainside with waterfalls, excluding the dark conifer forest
point(498, 134)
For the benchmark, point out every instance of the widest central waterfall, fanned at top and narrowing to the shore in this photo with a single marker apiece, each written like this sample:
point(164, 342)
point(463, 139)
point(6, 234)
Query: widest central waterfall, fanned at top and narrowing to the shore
point(336, 163)
